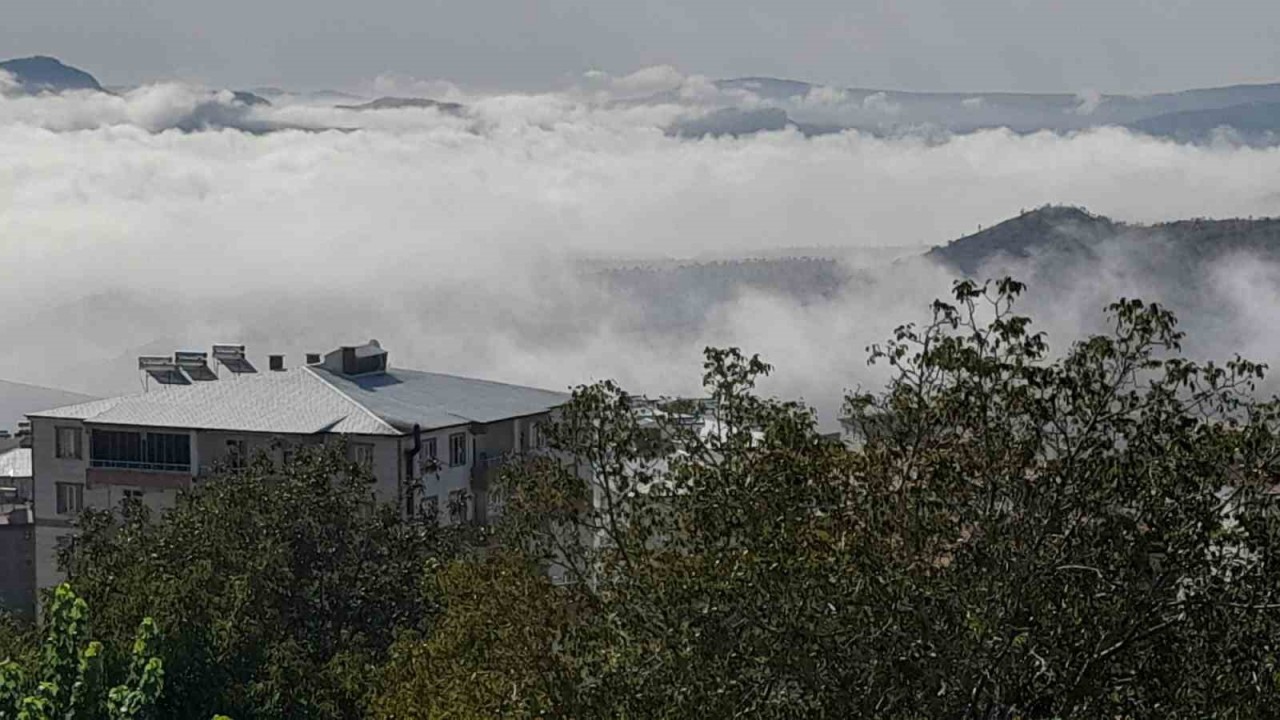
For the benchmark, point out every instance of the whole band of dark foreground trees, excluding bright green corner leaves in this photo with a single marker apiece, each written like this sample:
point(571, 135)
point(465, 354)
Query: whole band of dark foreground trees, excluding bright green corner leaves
point(1011, 534)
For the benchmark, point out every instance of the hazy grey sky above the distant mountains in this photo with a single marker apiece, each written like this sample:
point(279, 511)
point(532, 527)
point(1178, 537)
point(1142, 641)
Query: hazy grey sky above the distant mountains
point(927, 45)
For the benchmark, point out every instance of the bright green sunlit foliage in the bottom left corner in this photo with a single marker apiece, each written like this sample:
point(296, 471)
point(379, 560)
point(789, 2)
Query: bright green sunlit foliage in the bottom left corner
point(70, 681)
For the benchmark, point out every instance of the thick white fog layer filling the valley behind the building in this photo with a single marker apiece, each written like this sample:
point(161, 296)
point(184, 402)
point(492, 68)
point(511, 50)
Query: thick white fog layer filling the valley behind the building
point(173, 217)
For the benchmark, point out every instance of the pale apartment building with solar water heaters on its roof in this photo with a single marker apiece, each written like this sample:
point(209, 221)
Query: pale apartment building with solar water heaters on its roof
point(431, 440)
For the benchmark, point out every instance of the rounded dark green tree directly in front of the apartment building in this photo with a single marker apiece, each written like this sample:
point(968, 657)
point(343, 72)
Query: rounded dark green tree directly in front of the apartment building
point(277, 590)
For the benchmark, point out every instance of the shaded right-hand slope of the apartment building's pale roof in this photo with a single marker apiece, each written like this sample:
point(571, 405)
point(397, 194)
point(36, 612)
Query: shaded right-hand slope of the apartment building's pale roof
point(438, 400)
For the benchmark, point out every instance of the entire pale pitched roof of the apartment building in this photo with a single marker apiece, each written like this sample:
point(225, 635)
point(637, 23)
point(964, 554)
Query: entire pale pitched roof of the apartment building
point(316, 400)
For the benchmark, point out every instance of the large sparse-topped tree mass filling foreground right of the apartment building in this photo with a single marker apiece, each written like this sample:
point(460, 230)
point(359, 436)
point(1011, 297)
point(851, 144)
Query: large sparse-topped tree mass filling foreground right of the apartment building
point(1017, 535)
